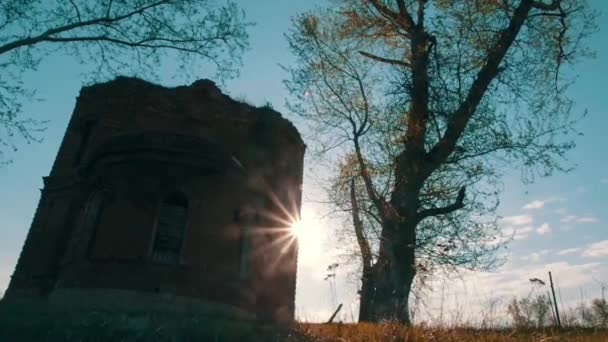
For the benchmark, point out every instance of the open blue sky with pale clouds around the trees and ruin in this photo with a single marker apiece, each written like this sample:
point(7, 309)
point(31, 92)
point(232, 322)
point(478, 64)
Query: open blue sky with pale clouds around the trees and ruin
point(559, 222)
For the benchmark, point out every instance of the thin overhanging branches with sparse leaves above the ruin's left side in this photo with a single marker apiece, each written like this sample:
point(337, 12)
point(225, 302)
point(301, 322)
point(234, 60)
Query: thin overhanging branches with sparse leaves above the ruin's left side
point(113, 36)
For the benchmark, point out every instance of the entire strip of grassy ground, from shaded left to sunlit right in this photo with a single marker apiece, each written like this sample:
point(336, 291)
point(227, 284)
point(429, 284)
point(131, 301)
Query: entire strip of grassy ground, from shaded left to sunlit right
point(98, 326)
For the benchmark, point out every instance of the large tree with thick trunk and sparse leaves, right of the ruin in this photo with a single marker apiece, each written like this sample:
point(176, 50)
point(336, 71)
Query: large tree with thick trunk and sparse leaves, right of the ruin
point(424, 104)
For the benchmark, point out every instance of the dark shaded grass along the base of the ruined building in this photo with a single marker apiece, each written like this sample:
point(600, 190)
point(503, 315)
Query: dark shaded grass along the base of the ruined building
point(99, 326)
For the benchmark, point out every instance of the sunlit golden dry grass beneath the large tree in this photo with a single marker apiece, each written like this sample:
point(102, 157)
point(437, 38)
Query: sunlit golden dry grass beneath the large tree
point(394, 332)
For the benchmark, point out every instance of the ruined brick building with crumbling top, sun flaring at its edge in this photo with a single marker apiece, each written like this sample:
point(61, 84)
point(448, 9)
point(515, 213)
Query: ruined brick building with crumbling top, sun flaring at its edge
point(167, 199)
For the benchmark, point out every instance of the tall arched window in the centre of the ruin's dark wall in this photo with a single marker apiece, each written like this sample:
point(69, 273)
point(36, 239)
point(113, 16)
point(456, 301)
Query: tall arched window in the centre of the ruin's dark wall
point(170, 227)
